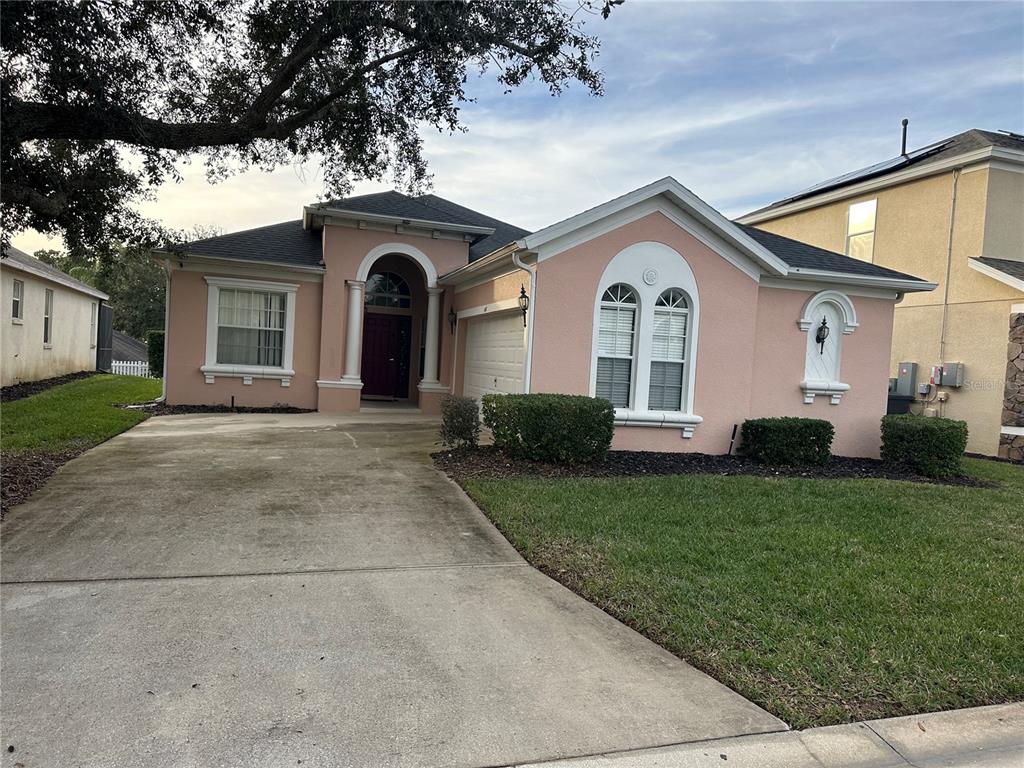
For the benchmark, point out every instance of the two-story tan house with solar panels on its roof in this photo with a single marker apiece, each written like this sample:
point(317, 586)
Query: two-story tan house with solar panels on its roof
point(954, 214)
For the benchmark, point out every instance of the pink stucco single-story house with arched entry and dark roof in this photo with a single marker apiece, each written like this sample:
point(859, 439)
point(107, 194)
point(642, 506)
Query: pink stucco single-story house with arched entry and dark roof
point(689, 323)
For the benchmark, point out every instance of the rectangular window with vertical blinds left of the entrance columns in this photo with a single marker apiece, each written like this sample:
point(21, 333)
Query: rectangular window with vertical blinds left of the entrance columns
point(250, 328)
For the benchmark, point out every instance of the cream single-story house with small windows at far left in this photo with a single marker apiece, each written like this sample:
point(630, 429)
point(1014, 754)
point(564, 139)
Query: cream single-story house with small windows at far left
point(51, 322)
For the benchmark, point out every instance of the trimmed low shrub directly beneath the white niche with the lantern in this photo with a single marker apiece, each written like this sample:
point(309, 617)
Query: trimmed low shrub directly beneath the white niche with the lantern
point(789, 441)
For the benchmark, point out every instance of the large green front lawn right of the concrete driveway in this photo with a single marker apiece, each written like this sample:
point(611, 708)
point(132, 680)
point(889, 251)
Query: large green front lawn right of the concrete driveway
point(824, 602)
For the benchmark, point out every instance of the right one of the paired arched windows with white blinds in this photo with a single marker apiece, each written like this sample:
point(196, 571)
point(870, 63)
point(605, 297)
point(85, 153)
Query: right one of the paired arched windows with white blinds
point(668, 352)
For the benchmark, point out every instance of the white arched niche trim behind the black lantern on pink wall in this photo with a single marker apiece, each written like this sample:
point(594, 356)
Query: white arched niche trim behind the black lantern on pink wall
point(825, 379)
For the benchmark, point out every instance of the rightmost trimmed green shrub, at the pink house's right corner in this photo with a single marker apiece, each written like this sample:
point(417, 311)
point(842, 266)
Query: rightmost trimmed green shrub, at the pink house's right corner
point(927, 446)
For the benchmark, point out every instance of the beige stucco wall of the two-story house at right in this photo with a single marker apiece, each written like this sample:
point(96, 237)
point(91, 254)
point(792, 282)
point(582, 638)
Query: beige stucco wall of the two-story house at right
point(913, 235)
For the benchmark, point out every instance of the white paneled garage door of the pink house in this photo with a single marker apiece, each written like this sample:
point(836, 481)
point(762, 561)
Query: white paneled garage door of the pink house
point(496, 355)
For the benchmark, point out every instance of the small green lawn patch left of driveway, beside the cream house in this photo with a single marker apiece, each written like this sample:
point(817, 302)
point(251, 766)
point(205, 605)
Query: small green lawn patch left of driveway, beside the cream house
point(74, 416)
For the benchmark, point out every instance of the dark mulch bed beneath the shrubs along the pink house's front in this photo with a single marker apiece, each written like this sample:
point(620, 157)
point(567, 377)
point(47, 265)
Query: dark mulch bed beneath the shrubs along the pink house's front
point(491, 462)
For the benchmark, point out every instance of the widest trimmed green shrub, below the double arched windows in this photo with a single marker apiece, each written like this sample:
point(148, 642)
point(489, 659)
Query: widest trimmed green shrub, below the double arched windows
point(559, 429)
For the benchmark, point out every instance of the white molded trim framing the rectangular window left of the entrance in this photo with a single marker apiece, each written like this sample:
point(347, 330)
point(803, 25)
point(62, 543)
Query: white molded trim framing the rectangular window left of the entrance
point(248, 373)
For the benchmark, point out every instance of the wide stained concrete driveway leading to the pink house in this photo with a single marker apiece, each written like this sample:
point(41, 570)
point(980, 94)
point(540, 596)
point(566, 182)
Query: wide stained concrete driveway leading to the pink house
point(285, 590)
